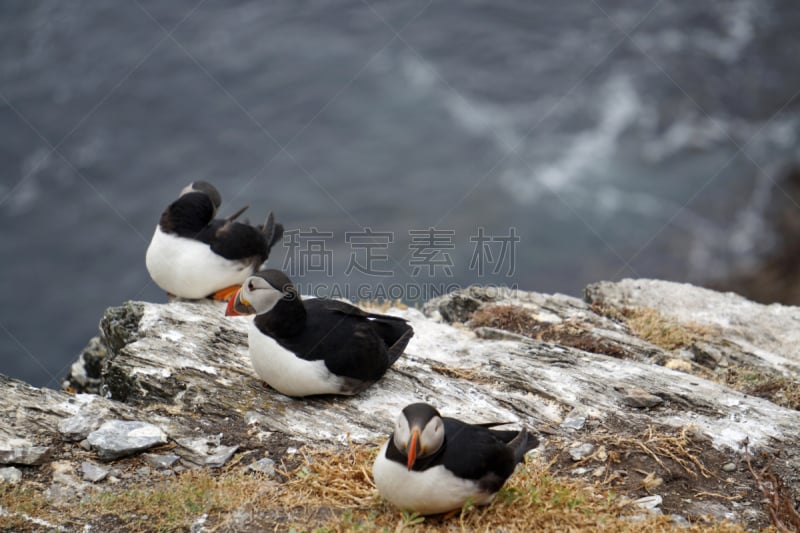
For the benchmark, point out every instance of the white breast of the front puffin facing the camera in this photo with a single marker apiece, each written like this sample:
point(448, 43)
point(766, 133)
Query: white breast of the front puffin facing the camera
point(435, 490)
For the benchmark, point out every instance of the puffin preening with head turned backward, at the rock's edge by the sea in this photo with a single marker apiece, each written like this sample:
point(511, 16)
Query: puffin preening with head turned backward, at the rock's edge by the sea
point(193, 255)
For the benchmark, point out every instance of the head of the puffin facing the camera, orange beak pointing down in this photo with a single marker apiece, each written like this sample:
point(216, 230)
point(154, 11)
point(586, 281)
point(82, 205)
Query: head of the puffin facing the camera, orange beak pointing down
point(418, 432)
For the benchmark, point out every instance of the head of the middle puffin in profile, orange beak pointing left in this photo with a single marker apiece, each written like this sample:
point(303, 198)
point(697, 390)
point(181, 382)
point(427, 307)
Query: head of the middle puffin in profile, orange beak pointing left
point(260, 293)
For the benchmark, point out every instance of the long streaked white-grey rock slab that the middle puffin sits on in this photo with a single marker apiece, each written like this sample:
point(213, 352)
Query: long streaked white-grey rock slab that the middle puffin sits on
point(189, 357)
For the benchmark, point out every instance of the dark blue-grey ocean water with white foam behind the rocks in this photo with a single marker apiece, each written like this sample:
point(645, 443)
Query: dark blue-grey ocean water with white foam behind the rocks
point(615, 139)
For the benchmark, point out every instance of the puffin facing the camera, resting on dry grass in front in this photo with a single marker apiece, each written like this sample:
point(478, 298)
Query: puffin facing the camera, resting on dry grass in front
point(433, 464)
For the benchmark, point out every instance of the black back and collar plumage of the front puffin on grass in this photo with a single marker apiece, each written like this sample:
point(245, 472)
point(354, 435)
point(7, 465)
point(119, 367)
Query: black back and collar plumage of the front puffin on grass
point(475, 452)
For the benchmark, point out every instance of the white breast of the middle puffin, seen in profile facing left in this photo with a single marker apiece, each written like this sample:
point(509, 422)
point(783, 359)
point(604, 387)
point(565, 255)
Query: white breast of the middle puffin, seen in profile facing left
point(287, 373)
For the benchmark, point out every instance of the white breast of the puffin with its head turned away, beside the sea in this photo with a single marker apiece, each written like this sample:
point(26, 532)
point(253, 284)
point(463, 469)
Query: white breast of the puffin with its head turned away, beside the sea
point(188, 268)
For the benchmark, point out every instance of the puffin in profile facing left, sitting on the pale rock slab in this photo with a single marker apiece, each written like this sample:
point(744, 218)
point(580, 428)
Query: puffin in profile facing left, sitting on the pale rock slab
point(315, 346)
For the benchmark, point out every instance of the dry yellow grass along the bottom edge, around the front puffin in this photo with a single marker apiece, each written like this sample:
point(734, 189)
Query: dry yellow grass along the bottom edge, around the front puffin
point(333, 491)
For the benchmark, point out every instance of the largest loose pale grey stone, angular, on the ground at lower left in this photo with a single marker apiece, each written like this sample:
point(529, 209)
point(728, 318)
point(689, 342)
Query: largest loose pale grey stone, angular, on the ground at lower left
point(118, 438)
